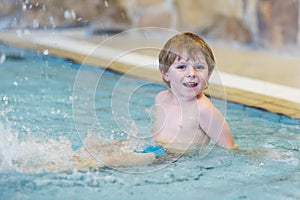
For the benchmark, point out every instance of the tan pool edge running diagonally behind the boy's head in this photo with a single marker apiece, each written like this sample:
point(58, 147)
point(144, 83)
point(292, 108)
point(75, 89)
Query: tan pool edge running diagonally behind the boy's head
point(234, 94)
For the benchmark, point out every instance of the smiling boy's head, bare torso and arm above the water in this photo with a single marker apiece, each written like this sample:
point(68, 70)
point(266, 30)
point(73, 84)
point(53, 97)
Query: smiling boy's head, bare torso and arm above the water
point(184, 116)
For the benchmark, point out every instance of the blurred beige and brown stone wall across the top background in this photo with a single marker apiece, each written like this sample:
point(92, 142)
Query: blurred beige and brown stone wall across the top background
point(271, 24)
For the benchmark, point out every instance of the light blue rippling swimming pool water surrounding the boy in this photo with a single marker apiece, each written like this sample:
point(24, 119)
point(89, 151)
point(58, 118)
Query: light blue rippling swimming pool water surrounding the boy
point(37, 125)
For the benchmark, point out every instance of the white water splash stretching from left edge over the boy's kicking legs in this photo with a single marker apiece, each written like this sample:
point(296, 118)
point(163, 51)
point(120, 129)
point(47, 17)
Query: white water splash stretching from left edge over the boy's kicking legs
point(32, 153)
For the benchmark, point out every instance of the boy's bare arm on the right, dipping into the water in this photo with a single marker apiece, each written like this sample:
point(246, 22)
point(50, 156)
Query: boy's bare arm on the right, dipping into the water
point(215, 126)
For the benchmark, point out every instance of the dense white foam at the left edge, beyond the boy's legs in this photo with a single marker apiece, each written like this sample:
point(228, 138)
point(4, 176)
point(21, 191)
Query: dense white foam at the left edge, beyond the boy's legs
point(31, 154)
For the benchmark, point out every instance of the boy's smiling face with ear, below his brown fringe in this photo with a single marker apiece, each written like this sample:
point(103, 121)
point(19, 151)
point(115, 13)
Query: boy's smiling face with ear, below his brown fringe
point(187, 77)
